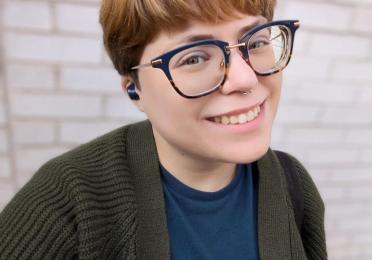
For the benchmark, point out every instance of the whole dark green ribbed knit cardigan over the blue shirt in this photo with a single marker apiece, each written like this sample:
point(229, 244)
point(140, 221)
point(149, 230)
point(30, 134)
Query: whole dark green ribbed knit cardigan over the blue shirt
point(104, 200)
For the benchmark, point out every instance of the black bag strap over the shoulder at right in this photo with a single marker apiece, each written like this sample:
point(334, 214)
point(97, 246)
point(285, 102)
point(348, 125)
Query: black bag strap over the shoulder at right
point(294, 187)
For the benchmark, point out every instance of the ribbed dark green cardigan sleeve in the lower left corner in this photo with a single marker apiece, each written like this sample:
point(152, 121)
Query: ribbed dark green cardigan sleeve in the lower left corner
point(38, 222)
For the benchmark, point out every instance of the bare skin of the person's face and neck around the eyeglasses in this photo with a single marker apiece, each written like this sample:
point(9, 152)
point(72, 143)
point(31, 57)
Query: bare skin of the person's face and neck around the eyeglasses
point(200, 153)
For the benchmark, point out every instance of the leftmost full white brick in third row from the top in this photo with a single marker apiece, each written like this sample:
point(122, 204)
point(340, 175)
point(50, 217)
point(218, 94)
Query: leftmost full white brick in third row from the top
point(33, 77)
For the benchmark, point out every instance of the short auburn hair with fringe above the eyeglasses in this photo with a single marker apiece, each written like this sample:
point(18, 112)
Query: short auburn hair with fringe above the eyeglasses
point(129, 25)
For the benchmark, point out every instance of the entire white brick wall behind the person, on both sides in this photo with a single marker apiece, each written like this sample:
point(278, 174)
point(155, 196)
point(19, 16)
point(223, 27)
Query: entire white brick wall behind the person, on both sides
point(58, 89)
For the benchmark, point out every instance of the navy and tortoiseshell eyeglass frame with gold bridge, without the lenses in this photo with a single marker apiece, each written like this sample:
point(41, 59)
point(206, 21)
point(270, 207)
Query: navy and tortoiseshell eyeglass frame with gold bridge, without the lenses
point(162, 61)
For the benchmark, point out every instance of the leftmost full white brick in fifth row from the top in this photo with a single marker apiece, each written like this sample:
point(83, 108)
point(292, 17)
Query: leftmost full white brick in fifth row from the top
point(33, 133)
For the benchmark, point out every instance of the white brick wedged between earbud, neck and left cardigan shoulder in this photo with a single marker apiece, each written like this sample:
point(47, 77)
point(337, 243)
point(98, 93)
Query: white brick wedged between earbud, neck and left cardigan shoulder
point(123, 107)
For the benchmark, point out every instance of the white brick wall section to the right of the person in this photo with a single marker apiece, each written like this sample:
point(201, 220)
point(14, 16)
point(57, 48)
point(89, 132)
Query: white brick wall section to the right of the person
point(330, 80)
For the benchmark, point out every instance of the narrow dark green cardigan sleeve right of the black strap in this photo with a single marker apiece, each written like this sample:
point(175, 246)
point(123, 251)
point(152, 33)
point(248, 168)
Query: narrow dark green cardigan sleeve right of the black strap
point(313, 234)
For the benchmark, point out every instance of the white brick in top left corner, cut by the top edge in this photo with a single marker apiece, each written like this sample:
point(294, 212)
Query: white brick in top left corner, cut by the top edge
point(27, 15)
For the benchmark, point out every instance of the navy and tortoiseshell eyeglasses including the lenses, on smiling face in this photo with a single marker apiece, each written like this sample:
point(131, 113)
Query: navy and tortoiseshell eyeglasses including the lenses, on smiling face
point(199, 68)
